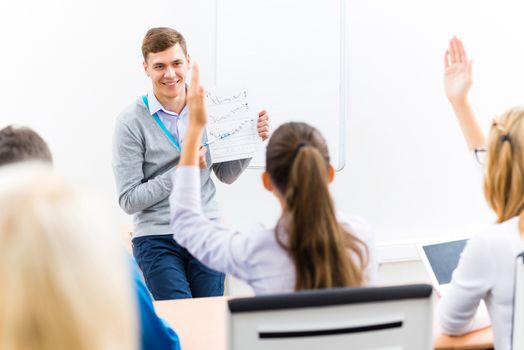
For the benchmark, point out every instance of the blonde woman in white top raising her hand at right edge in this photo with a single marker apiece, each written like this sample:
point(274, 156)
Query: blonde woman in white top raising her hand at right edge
point(487, 265)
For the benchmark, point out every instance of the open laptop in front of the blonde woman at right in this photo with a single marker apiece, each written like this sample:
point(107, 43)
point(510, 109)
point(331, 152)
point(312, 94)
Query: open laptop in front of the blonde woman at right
point(440, 260)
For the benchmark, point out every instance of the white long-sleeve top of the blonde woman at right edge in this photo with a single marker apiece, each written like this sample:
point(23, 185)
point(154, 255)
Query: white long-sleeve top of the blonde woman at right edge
point(486, 270)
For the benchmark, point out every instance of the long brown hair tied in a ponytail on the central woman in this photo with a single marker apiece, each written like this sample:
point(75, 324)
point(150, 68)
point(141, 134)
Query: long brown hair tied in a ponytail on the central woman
point(324, 253)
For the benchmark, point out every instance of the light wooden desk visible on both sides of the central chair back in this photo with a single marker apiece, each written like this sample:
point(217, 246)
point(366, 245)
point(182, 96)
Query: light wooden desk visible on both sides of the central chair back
point(201, 325)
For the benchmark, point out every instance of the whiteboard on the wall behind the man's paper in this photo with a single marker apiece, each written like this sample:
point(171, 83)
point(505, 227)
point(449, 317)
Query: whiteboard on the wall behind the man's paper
point(290, 56)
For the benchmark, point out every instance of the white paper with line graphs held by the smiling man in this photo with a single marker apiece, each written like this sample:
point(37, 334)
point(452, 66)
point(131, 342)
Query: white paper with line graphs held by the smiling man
point(232, 122)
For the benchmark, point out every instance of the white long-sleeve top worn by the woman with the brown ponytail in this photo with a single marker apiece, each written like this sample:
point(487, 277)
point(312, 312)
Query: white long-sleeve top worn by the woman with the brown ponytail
point(254, 256)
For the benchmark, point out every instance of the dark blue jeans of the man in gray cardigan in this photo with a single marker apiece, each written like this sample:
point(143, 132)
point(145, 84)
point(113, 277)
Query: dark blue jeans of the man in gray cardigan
point(171, 272)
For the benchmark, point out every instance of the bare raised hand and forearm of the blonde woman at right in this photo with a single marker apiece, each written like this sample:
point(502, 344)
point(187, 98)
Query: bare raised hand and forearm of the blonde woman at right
point(457, 82)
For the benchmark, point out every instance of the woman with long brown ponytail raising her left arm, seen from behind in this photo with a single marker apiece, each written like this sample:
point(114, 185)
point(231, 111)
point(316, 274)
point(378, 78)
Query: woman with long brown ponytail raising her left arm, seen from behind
point(310, 247)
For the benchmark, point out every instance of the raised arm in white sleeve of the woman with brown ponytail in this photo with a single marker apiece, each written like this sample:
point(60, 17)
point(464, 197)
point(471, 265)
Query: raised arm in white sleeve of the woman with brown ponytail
point(208, 241)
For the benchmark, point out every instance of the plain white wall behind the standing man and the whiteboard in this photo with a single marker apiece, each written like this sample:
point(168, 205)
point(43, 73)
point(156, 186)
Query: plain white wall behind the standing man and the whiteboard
point(70, 67)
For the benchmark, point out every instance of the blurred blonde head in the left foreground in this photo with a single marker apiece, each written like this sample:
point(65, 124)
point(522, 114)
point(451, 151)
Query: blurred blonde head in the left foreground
point(65, 278)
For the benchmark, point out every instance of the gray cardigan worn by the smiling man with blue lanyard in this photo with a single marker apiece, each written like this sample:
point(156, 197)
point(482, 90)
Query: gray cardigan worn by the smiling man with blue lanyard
point(143, 159)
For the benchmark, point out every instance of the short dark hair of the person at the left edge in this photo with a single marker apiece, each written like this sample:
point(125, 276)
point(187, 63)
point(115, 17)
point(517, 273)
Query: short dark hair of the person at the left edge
point(20, 144)
